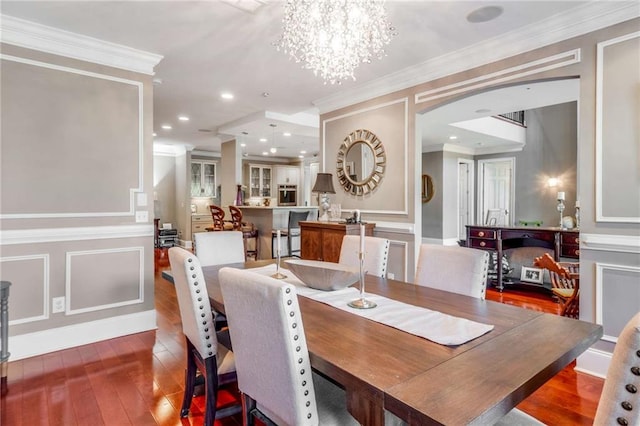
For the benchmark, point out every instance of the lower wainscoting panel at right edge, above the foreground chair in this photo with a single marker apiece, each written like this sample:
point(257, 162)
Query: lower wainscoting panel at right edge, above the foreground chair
point(619, 285)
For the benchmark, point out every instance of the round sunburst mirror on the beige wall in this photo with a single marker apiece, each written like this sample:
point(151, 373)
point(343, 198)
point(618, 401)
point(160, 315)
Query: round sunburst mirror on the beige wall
point(361, 162)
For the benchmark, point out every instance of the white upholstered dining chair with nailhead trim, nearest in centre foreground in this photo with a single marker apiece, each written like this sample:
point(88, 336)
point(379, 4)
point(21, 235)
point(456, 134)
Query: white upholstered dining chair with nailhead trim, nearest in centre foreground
point(272, 360)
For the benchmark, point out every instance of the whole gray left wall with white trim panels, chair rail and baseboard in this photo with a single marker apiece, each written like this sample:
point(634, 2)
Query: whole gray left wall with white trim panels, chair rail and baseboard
point(76, 168)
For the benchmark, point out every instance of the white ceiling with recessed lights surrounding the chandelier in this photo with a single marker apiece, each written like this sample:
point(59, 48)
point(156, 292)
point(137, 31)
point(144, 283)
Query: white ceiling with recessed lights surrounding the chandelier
point(215, 46)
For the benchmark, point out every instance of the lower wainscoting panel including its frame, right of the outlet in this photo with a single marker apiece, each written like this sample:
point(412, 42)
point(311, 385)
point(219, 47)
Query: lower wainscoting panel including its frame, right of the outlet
point(102, 279)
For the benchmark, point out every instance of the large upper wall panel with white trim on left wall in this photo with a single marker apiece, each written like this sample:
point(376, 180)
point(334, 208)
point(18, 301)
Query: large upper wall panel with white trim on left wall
point(113, 122)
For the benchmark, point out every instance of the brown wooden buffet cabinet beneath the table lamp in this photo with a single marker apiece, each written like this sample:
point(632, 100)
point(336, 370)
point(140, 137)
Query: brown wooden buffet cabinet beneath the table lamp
point(323, 240)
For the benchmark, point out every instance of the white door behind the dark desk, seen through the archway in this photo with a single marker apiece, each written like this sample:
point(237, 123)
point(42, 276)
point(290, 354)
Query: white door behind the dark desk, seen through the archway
point(496, 186)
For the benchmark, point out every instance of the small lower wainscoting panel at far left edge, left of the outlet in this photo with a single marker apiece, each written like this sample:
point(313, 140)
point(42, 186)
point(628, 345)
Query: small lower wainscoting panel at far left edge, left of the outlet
point(29, 277)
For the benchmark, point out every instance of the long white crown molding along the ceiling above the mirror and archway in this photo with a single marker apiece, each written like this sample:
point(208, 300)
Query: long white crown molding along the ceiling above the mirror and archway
point(577, 21)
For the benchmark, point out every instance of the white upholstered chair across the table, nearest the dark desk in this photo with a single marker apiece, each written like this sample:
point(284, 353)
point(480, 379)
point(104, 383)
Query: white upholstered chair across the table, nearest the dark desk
point(453, 268)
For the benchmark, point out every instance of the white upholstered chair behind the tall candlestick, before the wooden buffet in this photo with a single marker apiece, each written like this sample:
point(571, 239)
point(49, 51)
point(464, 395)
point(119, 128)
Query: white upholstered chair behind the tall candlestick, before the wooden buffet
point(376, 253)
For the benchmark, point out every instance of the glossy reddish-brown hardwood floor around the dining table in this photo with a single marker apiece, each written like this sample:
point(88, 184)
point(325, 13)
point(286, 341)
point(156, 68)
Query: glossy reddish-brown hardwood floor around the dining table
point(138, 379)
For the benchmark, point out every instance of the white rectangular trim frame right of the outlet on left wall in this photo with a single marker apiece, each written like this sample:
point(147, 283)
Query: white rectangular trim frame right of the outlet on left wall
point(69, 274)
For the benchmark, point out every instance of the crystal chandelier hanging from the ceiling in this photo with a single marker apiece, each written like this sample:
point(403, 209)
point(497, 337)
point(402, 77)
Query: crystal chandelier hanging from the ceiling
point(332, 37)
